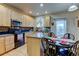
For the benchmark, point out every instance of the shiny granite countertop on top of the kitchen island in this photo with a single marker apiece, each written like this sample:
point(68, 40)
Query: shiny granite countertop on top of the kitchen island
point(36, 34)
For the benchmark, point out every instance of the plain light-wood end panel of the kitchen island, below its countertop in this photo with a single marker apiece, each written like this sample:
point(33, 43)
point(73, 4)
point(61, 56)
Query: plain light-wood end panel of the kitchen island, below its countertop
point(33, 46)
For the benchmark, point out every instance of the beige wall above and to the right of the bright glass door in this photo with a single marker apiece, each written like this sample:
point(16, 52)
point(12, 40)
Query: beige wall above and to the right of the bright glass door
point(72, 18)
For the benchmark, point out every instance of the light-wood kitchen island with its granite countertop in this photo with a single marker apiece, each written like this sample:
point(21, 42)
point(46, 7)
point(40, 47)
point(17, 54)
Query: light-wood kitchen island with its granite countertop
point(33, 40)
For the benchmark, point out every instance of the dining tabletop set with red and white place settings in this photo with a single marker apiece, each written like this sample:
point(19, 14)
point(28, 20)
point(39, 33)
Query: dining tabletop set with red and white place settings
point(60, 41)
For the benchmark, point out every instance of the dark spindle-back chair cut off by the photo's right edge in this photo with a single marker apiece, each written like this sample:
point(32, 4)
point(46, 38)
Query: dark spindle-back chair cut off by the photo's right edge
point(74, 50)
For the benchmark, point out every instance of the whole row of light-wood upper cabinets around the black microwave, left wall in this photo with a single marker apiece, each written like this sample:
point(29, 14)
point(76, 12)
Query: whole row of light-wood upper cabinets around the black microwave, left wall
point(6, 14)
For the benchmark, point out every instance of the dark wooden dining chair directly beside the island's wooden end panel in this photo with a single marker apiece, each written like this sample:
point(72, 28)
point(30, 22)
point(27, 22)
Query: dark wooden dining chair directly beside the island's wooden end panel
point(48, 48)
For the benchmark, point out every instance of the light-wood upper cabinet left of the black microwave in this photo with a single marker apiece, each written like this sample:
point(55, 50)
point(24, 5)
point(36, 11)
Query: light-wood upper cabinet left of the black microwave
point(4, 16)
